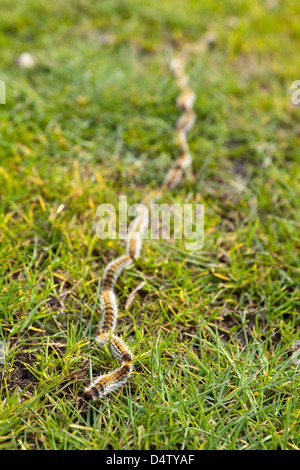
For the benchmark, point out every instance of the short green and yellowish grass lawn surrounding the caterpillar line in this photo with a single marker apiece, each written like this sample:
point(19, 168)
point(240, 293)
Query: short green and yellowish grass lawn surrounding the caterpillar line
point(212, 331)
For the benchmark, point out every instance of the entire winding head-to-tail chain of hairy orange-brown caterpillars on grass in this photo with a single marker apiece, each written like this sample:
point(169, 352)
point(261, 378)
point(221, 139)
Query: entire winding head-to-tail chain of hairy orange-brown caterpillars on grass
point(104, 384)
